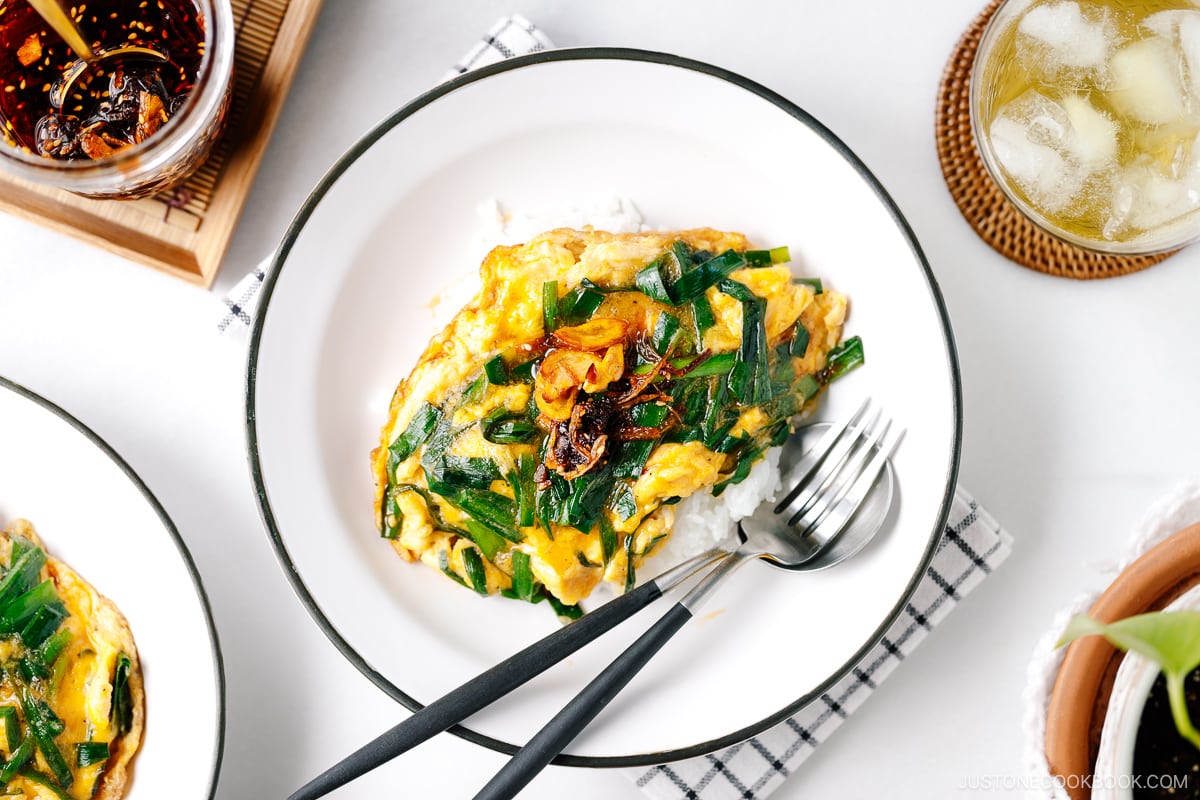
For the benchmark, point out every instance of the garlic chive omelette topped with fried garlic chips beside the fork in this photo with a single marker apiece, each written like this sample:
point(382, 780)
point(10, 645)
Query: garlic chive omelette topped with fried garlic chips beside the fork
point(597, 380)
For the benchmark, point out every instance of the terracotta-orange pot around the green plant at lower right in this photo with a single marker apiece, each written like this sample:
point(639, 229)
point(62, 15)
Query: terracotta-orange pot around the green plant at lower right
point(1081, 695)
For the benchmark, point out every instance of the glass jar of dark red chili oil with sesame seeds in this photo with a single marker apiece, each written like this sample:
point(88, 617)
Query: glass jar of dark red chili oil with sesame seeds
point(135, 118)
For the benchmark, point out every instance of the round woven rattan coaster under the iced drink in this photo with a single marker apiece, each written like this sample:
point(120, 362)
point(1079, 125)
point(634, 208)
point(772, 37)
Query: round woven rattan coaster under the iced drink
point(986, 208)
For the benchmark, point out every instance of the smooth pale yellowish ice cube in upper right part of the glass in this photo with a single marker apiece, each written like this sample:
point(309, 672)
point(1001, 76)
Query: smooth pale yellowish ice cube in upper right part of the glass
point(1145, 82)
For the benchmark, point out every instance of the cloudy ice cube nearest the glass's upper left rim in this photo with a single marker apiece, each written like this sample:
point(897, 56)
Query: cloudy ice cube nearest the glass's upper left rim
point(1060, 35)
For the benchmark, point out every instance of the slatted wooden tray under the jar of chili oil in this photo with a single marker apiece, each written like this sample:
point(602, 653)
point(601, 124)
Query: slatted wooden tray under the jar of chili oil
point(185, 232)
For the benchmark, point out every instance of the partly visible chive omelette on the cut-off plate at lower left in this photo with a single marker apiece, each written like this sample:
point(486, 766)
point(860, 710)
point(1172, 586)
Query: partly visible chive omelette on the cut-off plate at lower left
point(76, 699)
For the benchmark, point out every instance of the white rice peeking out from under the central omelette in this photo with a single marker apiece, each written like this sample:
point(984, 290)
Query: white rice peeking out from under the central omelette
point(703, 521)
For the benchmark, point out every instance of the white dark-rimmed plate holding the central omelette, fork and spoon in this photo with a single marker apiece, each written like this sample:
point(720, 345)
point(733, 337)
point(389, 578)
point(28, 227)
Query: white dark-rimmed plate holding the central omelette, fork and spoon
point(353, 298)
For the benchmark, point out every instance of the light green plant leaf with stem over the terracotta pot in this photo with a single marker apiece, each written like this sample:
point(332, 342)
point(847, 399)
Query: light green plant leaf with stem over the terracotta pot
point(1172, 640)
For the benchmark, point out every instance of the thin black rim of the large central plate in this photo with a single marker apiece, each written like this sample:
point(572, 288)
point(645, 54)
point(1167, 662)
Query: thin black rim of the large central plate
point(373, 137)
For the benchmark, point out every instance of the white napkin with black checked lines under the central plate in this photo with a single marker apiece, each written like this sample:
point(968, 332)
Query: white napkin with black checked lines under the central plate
point(973, 546)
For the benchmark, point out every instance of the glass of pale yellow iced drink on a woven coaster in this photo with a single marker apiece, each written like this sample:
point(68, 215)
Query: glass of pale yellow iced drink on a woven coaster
point(1088, 116)
